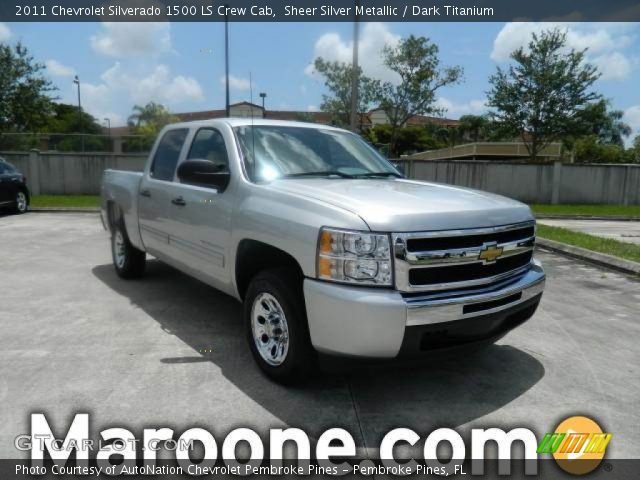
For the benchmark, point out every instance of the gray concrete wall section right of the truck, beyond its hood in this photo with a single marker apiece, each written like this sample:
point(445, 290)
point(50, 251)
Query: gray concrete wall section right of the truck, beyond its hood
point(536, 183)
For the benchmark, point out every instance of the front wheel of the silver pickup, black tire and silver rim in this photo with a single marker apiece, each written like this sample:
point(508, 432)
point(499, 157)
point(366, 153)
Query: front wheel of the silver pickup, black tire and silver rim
point(276, 325)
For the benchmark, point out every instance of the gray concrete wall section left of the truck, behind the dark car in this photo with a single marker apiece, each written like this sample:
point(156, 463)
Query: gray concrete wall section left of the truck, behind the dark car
point(70, 173)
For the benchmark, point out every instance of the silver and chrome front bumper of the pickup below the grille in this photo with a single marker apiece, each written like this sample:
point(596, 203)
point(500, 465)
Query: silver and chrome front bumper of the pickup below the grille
point(370, 322)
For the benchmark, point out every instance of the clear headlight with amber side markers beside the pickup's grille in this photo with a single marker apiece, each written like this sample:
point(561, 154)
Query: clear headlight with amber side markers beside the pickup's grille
point(354, 257)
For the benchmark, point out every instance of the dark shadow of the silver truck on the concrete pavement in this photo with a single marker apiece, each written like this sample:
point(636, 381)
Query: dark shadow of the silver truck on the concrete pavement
point(371, 397)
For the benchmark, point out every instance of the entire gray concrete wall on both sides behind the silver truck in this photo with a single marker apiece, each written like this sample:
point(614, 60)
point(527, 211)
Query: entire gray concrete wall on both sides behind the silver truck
point(73, 173)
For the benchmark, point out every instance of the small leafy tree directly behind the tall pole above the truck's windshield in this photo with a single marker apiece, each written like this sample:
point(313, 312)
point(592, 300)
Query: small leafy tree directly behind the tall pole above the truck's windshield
point(338, 79)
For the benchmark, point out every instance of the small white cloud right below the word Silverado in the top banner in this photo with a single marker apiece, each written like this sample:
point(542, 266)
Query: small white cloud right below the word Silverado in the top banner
point(127, 39)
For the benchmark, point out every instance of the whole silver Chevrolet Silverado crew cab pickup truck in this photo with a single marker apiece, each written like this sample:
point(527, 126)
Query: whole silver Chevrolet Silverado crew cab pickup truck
point(327, 245)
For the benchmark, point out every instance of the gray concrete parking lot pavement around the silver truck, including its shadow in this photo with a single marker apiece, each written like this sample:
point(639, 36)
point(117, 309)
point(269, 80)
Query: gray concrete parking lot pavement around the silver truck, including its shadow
point(167, 350)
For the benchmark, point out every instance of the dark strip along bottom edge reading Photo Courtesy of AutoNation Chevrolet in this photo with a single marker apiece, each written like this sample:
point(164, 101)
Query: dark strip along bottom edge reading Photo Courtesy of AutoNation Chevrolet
point(608, 469)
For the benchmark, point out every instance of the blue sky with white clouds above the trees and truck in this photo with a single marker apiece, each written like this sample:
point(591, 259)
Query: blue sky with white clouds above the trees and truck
point(181, 65)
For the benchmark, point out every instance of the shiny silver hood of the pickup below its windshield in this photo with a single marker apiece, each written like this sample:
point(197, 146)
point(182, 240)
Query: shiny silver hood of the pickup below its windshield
point(407, 205)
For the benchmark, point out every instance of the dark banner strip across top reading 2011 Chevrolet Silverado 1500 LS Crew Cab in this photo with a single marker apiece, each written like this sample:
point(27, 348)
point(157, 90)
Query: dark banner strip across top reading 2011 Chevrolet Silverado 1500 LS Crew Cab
point(318, 10)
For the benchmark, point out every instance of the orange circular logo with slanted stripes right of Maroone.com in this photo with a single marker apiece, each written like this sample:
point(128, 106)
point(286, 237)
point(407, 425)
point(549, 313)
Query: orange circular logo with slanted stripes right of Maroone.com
point(581, 445)
